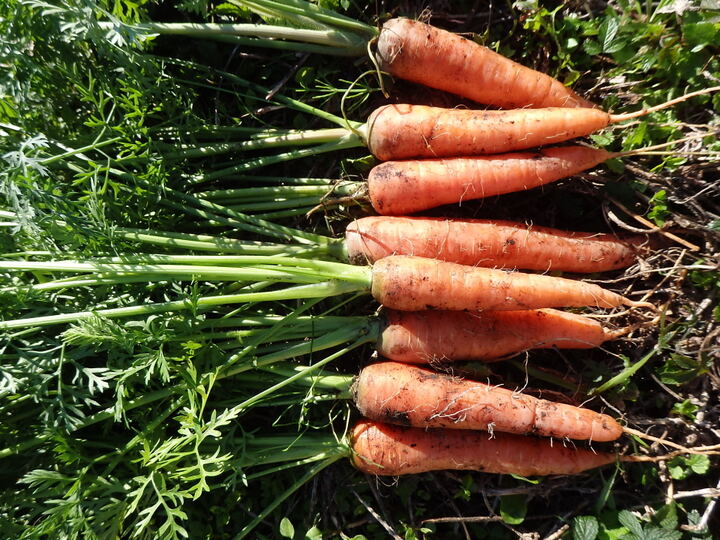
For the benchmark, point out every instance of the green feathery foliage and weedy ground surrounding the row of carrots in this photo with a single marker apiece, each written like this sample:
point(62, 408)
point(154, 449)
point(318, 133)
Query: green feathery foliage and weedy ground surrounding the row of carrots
point(133, 429)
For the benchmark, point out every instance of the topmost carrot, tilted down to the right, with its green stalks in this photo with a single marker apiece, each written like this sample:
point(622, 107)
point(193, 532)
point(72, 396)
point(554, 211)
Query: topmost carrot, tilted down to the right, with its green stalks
point(405, 48)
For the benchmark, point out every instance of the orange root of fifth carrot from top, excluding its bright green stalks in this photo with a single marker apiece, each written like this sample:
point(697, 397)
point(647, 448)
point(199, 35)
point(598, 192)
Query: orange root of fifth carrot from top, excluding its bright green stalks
point(415, 283)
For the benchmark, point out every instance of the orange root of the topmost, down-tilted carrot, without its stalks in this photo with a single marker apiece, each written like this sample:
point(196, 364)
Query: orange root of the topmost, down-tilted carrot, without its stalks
point(437, 58)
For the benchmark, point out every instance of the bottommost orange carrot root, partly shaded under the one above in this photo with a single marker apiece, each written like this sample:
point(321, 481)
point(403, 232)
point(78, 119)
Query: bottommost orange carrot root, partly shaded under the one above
point(387, 450)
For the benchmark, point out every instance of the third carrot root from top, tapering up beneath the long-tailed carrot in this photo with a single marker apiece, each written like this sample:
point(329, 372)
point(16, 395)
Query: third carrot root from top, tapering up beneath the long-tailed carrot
point(398, 188)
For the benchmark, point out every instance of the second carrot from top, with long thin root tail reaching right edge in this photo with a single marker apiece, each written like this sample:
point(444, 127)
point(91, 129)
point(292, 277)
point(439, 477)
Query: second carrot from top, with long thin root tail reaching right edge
point(407, 131)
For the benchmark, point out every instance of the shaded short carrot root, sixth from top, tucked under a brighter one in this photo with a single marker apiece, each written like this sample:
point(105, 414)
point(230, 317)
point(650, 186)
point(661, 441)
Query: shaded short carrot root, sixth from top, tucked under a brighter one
point(423, 337)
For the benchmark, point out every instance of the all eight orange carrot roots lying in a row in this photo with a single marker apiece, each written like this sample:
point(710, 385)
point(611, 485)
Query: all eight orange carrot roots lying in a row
point(465, 271)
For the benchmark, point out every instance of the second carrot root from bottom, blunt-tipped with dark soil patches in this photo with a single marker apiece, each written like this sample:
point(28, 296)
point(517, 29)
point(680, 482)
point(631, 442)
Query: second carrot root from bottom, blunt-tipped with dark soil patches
point(416, 396)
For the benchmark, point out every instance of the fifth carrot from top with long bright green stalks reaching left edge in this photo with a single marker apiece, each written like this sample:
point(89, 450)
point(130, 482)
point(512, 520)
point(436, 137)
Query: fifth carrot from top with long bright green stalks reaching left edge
point(400, 282)
